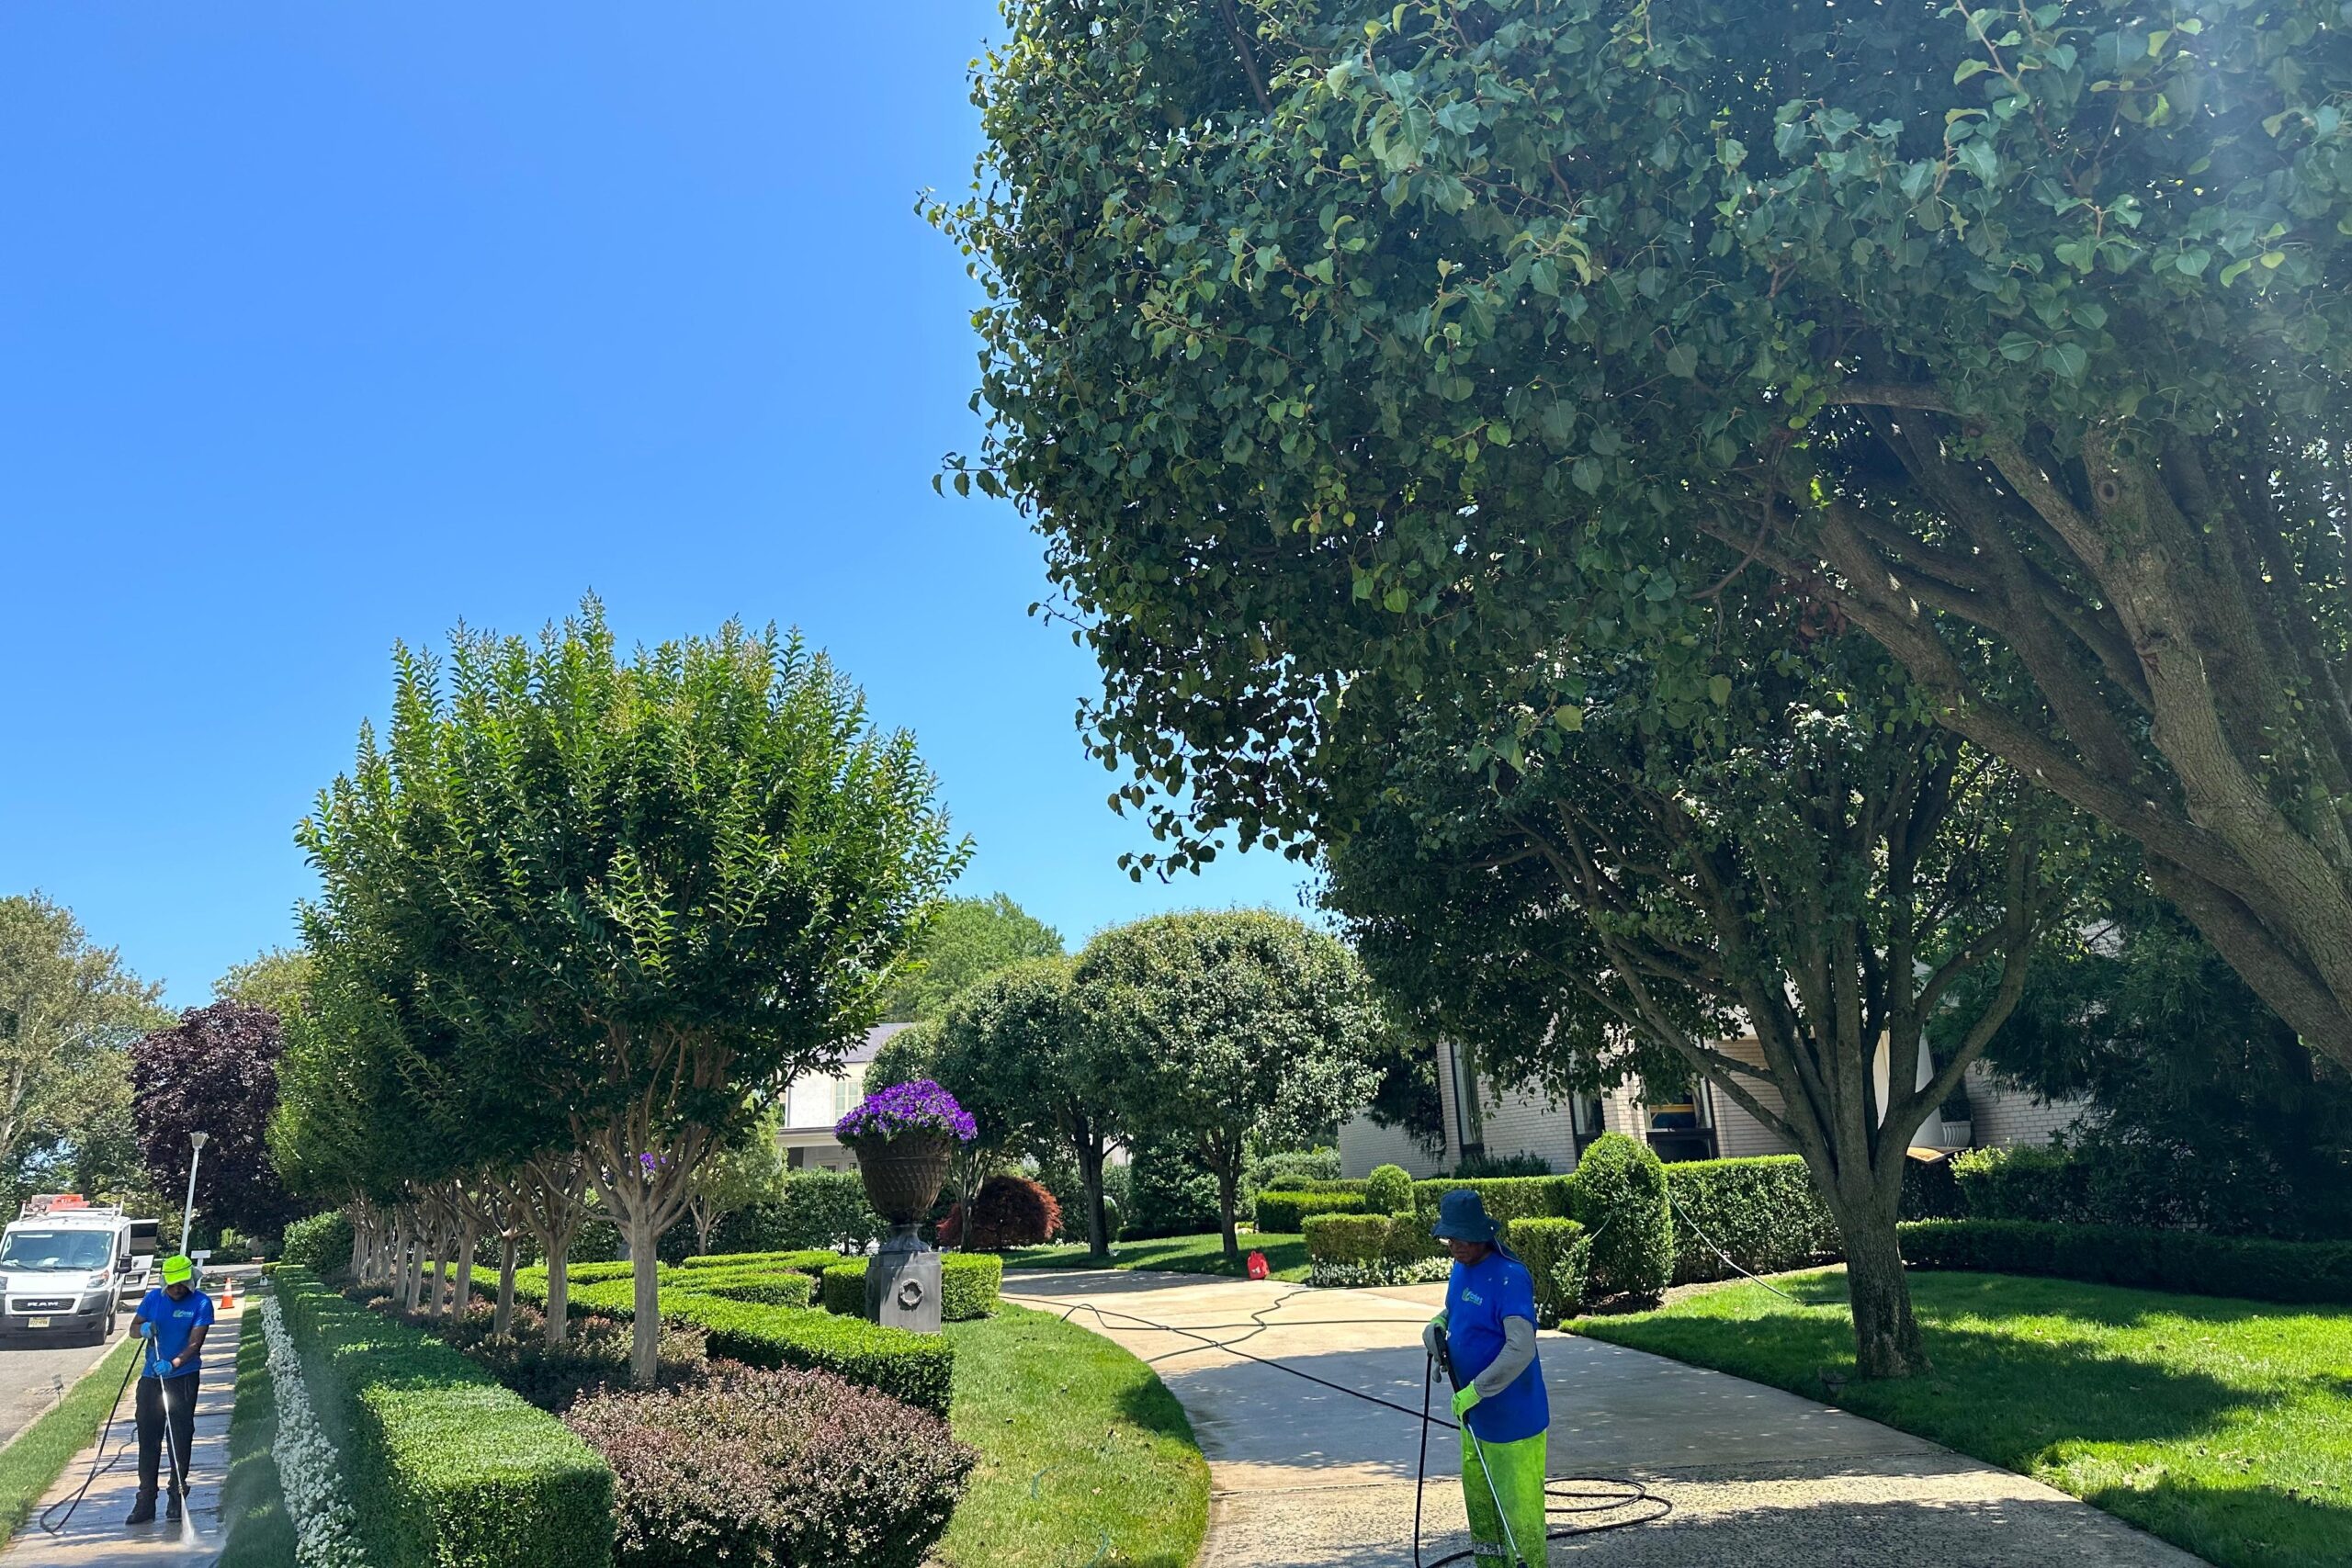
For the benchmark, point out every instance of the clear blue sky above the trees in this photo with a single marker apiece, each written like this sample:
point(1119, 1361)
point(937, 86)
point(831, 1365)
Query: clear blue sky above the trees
point(326, 326)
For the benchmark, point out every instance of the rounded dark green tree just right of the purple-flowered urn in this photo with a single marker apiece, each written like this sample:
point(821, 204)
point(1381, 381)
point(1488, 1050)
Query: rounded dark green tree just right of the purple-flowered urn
point(1022, 1033)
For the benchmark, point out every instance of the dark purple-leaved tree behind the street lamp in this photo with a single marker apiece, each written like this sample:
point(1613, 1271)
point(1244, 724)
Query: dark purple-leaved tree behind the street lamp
point(215, 1071)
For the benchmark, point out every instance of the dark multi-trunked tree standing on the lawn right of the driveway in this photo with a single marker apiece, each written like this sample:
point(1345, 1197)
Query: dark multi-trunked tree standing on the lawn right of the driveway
point(1817, 871)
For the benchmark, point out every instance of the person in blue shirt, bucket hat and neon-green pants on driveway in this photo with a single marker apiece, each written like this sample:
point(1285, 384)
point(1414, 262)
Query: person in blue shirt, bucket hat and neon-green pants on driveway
point(1490, 1332)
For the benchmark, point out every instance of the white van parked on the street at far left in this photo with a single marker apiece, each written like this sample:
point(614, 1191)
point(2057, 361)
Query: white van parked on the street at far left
point(67, 1268)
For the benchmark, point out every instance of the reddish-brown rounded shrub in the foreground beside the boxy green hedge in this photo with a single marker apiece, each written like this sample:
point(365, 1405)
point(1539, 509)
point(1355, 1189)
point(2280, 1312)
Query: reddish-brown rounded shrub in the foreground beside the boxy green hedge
point(784, 1468)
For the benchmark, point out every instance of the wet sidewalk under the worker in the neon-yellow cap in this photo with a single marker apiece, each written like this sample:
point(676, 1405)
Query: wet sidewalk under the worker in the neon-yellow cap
point(98, 1536)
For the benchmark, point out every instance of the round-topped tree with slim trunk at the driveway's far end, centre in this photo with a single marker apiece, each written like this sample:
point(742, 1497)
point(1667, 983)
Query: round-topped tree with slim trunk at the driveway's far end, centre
point(1227, 1031)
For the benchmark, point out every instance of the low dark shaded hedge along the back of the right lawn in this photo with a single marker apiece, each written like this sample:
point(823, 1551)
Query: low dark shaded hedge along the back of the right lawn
point(2318, 1273)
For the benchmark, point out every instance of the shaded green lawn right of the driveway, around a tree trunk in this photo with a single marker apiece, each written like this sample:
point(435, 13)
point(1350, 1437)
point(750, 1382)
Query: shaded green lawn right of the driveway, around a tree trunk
point(2221, 1426)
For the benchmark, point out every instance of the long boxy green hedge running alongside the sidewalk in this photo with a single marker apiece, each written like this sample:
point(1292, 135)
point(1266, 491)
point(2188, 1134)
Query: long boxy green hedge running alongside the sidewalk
point(446, 1468)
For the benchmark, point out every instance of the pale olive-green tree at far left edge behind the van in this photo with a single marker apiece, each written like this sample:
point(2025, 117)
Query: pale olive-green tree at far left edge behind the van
point(69, 1012)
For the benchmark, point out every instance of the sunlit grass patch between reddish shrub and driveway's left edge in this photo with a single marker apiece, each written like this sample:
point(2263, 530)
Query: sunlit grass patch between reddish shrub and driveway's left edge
point(1085, 1456)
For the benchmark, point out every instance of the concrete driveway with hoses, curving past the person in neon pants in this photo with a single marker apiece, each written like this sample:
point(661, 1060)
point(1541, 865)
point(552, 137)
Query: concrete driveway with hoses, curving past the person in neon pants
point(1307, 1475)
